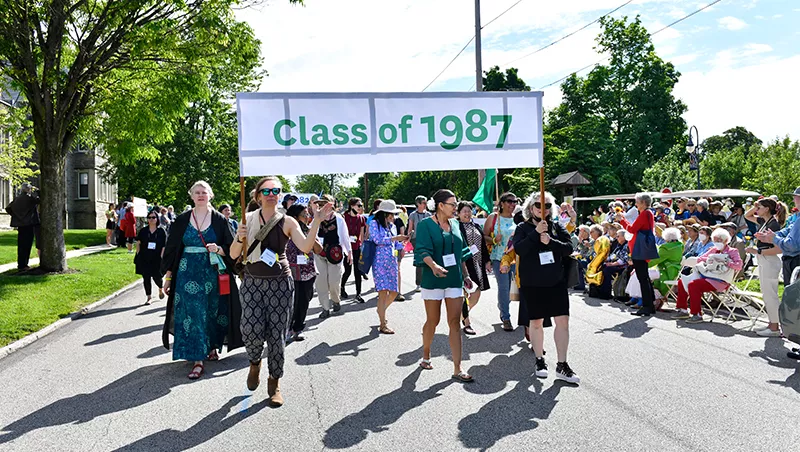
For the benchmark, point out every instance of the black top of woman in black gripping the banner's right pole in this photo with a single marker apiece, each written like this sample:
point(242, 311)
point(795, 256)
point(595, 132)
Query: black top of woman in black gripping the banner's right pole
point(528, 245)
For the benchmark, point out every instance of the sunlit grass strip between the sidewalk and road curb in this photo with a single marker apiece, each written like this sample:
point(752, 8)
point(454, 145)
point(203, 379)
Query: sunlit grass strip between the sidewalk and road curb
point(29, 303)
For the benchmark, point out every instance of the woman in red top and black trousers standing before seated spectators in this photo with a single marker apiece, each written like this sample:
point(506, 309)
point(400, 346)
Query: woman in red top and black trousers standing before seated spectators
point(642, 230)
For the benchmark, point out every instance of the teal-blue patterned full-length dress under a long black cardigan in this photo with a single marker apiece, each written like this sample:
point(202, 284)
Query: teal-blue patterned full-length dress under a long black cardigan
point(199, 326)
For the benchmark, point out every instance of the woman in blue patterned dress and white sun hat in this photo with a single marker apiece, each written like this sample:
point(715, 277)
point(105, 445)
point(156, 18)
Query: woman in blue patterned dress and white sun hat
point(383, 232)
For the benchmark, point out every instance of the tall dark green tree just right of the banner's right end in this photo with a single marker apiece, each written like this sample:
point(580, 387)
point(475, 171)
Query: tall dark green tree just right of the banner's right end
point(622, 117)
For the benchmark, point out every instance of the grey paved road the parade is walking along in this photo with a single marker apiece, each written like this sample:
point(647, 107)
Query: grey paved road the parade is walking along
point(105, 383)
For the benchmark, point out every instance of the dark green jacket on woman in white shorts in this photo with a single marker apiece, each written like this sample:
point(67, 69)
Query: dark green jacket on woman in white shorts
point(434, 242)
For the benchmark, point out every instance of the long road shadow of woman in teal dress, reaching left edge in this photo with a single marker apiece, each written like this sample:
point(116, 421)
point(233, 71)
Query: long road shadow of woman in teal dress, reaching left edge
point(137, 388)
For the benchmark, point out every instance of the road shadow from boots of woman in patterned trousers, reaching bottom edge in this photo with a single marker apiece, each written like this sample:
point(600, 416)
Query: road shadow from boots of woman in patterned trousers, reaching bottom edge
point(208, 428)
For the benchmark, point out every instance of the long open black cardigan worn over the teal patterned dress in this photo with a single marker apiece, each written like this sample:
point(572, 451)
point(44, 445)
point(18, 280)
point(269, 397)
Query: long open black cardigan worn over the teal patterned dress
point(173, 253)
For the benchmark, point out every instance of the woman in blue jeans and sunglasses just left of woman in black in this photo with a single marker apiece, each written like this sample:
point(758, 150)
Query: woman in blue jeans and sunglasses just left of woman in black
point(498, 229)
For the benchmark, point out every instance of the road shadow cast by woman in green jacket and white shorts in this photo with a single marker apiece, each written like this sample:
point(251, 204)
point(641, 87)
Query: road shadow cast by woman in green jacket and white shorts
point(381, 413)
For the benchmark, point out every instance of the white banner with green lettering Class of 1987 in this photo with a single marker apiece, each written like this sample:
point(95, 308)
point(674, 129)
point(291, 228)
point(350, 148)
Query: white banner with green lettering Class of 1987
point(292, 134)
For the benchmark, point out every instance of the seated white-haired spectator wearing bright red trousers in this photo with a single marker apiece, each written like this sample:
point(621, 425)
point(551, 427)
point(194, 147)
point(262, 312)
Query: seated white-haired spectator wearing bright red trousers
point(691, 288)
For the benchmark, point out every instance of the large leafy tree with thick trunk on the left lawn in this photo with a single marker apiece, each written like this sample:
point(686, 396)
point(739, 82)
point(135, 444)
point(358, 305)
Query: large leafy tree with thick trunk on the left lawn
point(73, 58)
